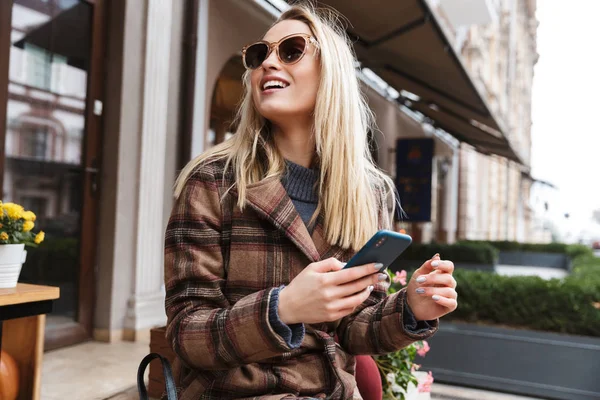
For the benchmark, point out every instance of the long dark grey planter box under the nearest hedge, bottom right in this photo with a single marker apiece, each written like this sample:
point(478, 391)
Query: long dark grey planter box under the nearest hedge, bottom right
point(531, 363)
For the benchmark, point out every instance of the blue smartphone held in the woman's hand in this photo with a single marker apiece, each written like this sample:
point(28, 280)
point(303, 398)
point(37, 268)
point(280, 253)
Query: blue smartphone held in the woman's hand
point(384, 247)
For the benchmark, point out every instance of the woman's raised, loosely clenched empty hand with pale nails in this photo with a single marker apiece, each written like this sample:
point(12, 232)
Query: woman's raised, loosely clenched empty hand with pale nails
point(431, 292)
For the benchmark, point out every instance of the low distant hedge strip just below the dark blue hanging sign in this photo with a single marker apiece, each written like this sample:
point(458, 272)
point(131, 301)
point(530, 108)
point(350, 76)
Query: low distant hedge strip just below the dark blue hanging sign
point(480, 253)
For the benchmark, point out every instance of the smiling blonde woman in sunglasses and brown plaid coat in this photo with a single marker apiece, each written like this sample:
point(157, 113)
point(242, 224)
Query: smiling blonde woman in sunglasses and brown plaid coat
point(256, 293)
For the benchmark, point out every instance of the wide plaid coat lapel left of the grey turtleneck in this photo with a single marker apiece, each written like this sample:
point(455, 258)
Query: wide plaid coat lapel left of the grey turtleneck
point(270, 200)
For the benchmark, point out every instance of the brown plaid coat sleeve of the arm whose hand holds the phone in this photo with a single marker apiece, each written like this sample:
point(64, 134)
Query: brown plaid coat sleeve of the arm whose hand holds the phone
point(205, 330)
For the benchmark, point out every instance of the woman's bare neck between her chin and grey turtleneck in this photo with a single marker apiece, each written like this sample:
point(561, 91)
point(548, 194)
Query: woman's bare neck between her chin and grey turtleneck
point(295, 143)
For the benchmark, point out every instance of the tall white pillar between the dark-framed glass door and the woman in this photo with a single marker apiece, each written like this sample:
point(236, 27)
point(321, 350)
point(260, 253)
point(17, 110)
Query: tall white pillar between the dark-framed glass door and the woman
point(145, 307)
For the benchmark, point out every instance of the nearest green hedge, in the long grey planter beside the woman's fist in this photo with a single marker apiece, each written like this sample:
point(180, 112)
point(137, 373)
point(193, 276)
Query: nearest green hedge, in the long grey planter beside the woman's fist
point(569, 305)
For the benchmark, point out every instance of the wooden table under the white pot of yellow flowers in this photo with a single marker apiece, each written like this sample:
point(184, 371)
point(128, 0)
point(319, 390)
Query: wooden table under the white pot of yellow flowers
point(22, 323)
